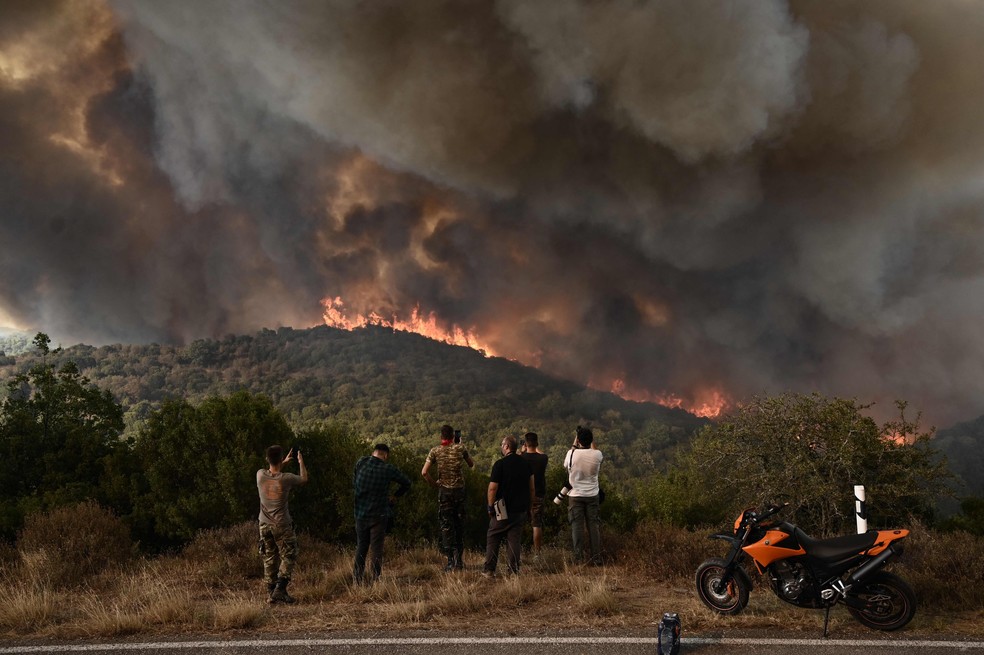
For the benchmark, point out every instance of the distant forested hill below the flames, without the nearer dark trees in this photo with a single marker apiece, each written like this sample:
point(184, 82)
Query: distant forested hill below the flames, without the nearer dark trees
point(388, 385)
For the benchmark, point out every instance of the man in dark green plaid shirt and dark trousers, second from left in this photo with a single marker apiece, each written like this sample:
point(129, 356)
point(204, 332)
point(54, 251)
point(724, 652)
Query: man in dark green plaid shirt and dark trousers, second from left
point(373, 509)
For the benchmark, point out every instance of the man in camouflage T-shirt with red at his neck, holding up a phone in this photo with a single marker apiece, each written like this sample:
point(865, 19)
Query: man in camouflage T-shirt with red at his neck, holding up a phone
point(451, 493)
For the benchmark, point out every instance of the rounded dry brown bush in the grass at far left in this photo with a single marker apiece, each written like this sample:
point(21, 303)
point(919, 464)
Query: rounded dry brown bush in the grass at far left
point(76, 543)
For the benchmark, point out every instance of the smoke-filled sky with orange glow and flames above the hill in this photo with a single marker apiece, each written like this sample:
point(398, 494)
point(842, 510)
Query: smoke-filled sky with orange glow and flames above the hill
point(686, 196)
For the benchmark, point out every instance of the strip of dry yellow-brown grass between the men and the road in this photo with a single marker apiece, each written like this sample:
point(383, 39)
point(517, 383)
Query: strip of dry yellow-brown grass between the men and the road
point(212, 587)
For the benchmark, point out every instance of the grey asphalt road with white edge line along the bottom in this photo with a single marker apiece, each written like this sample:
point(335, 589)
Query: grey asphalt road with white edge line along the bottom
point(392, 644)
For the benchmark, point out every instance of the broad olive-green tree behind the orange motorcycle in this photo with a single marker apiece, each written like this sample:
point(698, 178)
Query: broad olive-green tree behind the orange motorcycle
point(809, 451)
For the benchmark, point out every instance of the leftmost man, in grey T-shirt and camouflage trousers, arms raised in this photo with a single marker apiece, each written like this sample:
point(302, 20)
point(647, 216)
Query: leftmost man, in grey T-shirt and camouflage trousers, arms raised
point(278, 544)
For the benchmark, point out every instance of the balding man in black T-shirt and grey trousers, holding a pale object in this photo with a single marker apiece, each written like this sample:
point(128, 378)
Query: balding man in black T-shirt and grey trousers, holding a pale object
point(512, 481)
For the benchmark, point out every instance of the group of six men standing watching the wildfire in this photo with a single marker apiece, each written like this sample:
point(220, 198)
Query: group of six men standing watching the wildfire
point(515, 498)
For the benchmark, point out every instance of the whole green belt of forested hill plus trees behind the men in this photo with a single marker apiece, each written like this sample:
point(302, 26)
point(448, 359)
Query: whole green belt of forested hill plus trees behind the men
point(163, 435)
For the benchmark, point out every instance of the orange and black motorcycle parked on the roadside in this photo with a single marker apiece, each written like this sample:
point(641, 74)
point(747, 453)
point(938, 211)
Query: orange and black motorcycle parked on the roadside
point(808, 572)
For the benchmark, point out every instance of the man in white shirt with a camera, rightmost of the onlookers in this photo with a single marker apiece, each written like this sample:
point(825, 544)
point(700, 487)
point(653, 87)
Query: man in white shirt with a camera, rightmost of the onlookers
point(583, 463)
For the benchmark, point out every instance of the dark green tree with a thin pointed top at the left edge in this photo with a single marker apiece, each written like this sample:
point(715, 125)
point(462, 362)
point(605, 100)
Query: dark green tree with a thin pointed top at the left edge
point(57, 433)
